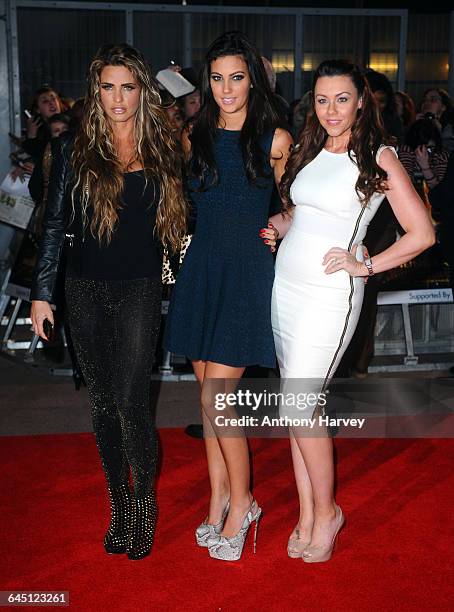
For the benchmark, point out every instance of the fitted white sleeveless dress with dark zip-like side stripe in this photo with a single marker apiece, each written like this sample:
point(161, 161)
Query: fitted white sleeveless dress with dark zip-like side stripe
point(315, 314)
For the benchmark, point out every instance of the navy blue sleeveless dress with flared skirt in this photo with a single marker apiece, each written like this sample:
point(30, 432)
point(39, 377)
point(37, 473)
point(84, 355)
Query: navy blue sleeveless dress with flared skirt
point(220, 309)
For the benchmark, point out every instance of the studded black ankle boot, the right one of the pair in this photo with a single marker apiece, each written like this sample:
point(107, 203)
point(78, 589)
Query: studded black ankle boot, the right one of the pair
point(143, 525)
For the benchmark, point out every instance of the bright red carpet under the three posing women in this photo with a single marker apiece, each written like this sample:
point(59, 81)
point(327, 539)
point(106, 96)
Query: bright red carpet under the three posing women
point(395, 552)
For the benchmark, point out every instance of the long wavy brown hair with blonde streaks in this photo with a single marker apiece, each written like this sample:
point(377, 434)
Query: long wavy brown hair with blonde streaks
point(98, 171)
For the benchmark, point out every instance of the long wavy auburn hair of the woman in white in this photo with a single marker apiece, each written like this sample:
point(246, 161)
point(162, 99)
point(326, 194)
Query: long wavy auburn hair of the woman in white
point(367, 135)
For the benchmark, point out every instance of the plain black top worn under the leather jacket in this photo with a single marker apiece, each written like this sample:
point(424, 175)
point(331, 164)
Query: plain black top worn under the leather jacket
point(133, 251)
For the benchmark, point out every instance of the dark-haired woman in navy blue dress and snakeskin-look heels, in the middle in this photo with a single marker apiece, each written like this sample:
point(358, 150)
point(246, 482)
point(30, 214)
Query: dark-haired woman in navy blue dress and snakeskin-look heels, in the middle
point(220, 315)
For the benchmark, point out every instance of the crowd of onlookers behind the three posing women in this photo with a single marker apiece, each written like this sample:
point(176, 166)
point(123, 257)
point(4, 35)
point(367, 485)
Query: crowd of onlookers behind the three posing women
point(424, 132)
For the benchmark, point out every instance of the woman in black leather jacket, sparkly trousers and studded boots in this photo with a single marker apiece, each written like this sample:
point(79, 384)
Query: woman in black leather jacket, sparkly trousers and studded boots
point(114, 198)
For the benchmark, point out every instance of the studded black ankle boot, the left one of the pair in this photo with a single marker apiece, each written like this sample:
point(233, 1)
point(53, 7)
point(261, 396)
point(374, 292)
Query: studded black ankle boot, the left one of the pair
point(116, 538)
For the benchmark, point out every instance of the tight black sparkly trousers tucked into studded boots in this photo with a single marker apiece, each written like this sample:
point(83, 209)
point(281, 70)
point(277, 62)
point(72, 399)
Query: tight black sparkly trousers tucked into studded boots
point(114, 326)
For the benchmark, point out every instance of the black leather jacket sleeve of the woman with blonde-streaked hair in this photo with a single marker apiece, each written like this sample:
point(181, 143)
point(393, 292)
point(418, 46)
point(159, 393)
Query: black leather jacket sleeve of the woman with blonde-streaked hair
point(59, 228)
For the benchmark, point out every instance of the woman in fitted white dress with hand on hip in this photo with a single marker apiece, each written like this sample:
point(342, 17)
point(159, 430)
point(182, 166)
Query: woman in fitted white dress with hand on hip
point(335, 180)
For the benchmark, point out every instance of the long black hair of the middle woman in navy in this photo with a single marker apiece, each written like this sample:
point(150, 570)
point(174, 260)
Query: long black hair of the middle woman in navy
point(262, 115)
